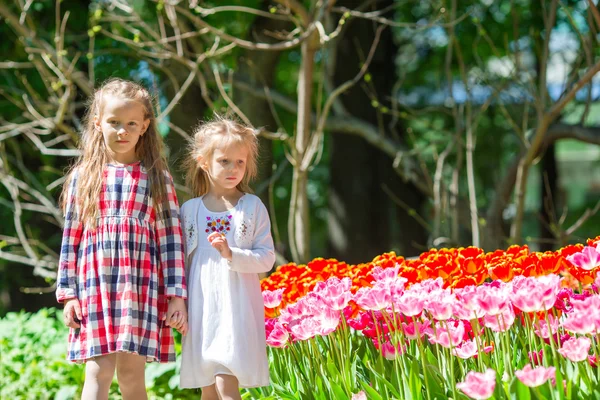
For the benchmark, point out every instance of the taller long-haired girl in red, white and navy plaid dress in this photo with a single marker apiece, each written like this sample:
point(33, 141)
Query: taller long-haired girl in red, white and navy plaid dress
point(121, 273)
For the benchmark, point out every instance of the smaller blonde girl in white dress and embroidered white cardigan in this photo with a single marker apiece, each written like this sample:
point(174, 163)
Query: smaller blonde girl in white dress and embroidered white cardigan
point(227, 244)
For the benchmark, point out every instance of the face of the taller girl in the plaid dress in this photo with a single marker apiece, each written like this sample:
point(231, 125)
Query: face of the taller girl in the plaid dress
point(122, 123)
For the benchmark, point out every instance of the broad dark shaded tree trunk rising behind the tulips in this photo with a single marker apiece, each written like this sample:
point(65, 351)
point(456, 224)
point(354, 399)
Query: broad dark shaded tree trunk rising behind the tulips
point(363, 219)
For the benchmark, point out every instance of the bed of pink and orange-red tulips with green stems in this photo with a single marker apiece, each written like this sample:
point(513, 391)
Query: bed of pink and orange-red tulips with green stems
point(455, 323)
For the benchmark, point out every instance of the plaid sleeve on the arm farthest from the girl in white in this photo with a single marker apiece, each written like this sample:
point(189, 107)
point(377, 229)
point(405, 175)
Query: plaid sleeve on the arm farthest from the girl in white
point(66, 285)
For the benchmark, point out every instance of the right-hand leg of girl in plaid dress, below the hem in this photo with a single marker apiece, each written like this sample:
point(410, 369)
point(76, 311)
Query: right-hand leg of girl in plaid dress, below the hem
point(131, 376)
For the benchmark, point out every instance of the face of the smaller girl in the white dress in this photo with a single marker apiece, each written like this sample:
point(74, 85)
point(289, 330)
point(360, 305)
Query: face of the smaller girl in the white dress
point(227, 166)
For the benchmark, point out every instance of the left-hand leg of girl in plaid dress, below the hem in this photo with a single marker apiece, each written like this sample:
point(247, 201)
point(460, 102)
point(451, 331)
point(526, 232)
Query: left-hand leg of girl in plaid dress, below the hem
point(99, 372)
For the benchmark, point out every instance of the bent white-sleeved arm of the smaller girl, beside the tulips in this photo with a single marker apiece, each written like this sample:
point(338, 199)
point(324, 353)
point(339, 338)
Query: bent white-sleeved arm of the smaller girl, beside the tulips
point(262, 255)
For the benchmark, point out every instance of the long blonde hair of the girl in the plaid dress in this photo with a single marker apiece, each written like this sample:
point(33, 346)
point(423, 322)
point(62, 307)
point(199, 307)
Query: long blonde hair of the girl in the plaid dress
point(94, 156)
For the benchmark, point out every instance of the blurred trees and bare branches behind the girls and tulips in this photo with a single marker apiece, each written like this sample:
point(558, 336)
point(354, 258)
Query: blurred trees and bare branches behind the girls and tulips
point(385, 125)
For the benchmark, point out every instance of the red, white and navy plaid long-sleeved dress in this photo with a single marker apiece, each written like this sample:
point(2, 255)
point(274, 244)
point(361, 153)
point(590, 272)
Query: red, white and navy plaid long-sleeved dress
point(124, 270)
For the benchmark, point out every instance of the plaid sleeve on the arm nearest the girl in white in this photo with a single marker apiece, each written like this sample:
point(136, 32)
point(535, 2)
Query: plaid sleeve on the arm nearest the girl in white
point(170, 244)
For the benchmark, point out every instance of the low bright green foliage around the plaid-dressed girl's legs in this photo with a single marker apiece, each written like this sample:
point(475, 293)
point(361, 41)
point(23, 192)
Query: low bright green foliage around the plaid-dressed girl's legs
point(33, 356)
